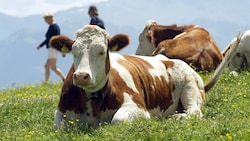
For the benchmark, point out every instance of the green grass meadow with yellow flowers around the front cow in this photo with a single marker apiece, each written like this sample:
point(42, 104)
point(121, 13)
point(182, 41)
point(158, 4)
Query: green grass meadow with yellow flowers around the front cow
point(27, 113)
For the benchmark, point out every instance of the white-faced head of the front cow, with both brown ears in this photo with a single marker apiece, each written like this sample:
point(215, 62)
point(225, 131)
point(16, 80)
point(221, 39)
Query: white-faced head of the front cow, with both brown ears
point(91, 55)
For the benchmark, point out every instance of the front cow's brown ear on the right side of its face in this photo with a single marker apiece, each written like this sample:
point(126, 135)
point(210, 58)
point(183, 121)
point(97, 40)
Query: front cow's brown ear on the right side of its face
point(118, 42)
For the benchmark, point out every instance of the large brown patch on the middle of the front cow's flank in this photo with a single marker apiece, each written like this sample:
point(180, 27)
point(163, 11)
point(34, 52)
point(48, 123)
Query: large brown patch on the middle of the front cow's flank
point(156, 92)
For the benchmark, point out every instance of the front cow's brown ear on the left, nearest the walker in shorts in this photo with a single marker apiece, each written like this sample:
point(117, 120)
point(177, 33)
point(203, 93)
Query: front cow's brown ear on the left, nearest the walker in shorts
point(61, 43)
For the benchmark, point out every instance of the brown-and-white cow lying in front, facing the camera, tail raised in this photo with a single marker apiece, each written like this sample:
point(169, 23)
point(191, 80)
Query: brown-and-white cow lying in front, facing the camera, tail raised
point(103, 86)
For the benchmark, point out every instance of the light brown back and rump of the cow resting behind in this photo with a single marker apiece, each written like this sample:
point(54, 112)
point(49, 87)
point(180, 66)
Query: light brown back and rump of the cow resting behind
point(195, 47)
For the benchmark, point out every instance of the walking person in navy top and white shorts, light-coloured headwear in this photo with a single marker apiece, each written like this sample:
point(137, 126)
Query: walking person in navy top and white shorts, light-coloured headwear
point(52, 53)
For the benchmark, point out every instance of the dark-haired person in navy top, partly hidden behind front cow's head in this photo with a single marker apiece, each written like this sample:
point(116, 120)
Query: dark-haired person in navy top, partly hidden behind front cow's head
point(95, 20)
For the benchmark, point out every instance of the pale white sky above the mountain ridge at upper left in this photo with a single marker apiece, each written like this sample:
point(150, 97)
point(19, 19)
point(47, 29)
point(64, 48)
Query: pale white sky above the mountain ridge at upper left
point(23, 8)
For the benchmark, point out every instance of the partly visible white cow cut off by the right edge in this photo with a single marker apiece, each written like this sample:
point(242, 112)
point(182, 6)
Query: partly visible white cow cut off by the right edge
point(242, 57)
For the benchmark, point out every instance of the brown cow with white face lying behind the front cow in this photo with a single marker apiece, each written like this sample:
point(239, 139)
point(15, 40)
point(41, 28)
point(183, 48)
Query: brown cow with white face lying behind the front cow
point(192, 44)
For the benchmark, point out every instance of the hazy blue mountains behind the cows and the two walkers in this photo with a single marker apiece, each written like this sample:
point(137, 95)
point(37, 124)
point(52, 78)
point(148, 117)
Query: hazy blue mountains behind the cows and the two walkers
point(21, 63)
